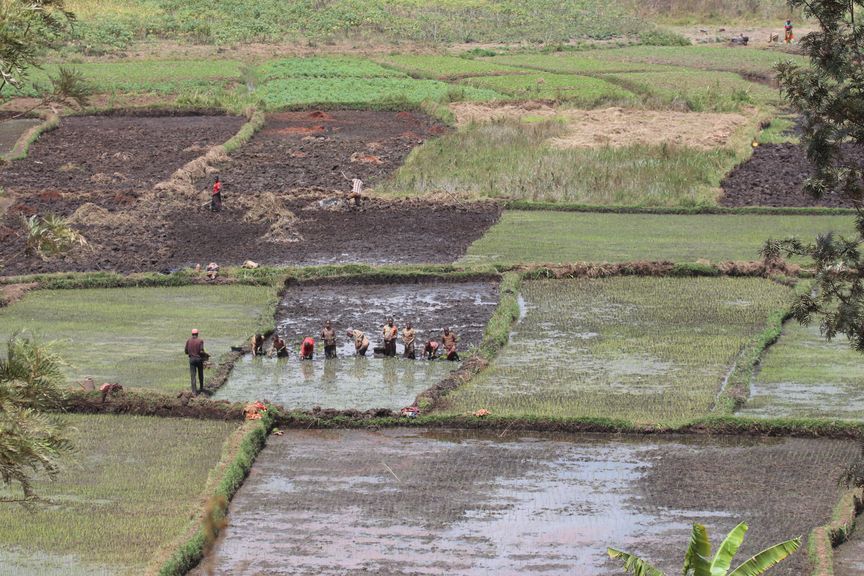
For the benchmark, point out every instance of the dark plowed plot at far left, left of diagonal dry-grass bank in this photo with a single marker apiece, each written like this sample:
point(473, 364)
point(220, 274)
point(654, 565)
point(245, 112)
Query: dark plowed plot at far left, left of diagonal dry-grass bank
point(114, 154)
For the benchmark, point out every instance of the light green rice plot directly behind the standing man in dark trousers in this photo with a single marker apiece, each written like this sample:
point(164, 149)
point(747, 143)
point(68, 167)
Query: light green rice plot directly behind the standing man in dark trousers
point(135, 336)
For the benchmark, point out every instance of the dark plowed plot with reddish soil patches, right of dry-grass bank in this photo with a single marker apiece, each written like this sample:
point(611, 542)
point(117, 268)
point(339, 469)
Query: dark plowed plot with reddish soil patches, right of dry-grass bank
point(297, 150)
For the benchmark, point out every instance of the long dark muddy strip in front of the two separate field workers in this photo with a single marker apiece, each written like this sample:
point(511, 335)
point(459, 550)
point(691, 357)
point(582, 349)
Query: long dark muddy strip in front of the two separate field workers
point(176, 235)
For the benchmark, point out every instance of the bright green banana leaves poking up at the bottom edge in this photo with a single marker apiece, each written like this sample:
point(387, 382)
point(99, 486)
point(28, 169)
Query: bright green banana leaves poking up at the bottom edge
point(698, 560)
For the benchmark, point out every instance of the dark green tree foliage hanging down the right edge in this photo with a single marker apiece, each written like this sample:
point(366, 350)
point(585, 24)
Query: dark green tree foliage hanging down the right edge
point(829, 95)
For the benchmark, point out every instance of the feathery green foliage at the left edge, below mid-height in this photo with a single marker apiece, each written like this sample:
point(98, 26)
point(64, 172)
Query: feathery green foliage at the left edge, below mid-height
point(30, 440)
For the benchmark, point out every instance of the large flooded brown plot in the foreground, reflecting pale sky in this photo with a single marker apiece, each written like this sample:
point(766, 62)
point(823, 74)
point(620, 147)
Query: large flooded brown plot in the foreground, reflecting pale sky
point(457, 502)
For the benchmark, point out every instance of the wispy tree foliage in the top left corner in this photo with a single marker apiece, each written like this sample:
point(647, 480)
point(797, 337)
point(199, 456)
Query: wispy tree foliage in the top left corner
point(26, 27)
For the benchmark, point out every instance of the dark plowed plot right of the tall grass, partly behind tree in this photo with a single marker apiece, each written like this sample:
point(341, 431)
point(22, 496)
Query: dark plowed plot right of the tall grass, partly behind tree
point(774, 176)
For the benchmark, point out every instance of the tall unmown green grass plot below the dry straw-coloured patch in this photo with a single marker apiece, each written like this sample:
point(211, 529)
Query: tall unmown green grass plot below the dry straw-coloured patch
point(509, 159)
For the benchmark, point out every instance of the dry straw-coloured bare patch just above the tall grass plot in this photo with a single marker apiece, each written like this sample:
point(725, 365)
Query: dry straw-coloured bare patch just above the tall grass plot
point(617, 126)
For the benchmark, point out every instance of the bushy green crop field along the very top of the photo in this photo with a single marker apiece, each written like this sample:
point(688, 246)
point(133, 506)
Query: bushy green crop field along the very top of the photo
point(114, 25)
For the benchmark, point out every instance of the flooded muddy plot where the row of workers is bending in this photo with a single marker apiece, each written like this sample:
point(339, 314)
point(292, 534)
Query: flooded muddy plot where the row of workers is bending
point(362, 383)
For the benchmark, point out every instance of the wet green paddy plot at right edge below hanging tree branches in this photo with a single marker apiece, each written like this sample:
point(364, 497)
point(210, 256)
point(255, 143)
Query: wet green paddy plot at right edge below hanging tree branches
point(803, 375)
